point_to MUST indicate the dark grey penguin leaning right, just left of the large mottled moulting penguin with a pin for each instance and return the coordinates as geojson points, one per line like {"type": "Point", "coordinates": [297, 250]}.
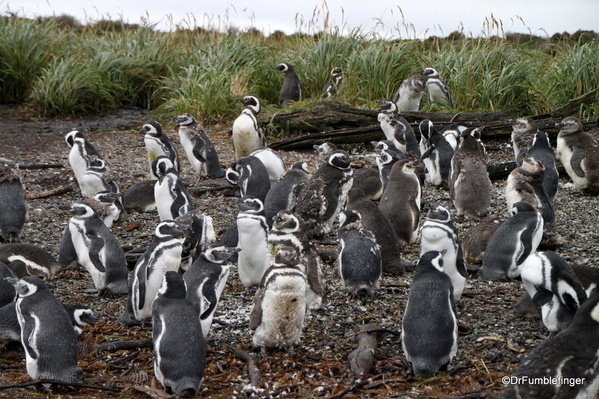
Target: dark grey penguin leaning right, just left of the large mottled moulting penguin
{"type": "Point", "coordinates": [283, 194]}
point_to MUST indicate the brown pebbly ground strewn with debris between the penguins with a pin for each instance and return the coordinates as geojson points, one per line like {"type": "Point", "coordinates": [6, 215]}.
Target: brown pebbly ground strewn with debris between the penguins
{"type": "Point", "coordinates": [492, 339]}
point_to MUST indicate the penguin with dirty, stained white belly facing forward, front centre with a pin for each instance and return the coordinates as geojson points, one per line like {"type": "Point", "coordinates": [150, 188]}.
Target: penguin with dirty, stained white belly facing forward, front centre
{"type": "Point", "coordinates": [277, 316]}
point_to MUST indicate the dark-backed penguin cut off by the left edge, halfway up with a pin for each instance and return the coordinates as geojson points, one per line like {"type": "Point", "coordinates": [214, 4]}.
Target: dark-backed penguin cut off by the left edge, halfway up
{"type": "Point", "coordinates": [13, 205]}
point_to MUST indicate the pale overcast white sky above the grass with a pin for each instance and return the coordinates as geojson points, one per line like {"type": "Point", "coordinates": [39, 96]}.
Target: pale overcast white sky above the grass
{"type": "Point", "coordinates": [399, 18]}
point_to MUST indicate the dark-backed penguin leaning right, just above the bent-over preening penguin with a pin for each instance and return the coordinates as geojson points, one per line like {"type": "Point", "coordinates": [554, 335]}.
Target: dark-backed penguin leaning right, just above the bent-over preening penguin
{"type": "Point", "coordinates": [512, 243]}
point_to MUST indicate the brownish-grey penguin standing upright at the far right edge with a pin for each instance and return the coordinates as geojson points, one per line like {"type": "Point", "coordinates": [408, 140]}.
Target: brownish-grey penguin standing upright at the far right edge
{"type": "Point", "coordinates": [579, 154]}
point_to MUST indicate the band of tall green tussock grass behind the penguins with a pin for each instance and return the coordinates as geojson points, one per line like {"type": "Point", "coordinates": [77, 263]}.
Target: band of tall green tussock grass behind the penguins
{"type": "Point", "coordinates": [58, 67]}
